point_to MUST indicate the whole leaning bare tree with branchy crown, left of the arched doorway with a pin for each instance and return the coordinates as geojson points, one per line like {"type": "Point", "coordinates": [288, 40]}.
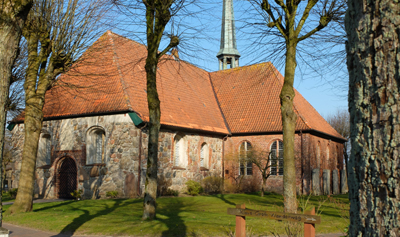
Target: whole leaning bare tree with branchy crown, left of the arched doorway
{"type": "Point", "coordinates": [56, 31]}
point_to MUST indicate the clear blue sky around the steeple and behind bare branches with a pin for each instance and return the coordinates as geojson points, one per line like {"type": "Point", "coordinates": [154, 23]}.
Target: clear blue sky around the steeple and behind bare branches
{"type": "Point", "coordinates": [319, 79]}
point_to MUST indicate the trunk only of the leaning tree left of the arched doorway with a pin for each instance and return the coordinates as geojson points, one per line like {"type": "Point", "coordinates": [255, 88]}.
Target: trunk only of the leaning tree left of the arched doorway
{"type": "Point", "coordinates": [35, 89]}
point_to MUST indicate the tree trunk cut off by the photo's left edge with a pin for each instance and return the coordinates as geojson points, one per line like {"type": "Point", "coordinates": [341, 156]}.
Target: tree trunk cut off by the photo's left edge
{"type": "Point", "coordinates": [12, 18]}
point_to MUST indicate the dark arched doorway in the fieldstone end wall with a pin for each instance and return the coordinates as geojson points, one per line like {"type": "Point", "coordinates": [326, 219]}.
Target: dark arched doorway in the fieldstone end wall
{"type": "Point", "coordinates": [67, 174]}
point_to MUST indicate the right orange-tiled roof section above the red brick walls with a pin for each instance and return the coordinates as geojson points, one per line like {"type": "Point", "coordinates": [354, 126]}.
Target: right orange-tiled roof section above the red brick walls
{"type": "Point", "coordinates": [249, 99]}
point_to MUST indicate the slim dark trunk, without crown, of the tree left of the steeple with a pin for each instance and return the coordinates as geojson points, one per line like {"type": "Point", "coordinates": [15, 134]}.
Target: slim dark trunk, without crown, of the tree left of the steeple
{"type": "Point", "coordinates": [149, 203]}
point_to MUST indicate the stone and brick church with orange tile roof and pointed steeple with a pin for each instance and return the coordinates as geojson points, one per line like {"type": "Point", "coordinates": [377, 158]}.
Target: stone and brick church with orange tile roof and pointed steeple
{"type": "Point", "coordinates": [95, 133]}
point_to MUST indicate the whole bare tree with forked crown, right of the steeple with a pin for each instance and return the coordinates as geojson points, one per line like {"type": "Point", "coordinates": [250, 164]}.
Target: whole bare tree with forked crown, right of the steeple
{"type": "Point", "coordinates": [292, 21]}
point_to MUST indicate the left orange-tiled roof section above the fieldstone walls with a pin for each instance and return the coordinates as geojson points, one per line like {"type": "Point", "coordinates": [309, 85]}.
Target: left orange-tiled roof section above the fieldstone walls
{"type": "Point", "coordinates": [110, 77]}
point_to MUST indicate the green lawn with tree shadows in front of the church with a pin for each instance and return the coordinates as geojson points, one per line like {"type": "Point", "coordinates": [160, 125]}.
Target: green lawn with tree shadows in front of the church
{"type": "Point", "coordinates": [176, 216]}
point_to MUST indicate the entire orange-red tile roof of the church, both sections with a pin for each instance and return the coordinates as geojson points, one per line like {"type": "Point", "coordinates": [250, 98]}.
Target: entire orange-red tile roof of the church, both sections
{"type": "Point", "coordinates": [110, 77]}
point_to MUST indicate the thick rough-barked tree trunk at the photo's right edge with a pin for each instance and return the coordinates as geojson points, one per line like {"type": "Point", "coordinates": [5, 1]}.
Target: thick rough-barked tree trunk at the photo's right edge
{"type": "Point", "coordinates": [373, 60]}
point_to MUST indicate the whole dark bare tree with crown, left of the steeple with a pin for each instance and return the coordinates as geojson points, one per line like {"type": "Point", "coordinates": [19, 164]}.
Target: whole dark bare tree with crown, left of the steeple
{"type": "Point", "coordinates": [158, 15]}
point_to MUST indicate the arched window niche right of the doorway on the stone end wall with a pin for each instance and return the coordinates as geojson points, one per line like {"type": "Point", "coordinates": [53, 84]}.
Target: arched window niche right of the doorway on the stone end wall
{"type": "Point", "coordinates": [95, 146]}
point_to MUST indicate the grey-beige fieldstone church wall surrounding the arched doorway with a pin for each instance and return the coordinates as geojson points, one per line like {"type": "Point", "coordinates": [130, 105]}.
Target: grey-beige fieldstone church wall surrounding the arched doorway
{"type": "Point", "coordinates": [123, 163]}
